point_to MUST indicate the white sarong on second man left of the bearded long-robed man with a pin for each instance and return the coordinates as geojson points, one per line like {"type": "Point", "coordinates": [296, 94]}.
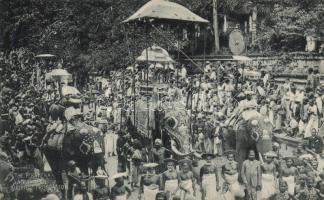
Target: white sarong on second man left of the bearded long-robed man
{"type": "Point", "coordinates": [209, 183]}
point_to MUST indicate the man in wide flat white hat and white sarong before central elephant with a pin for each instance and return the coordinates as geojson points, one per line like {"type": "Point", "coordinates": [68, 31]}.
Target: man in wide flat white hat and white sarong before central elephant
{"type": "Point", "coordinates": [150, 182]}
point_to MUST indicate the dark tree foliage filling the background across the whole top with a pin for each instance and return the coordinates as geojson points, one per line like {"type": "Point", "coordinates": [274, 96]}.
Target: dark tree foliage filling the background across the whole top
{"type": "Point", "coordinates": [88, 34]}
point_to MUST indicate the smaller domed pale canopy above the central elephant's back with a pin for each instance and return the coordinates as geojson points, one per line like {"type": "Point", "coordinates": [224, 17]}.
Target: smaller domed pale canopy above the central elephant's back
{"type": "Point", "coordinates": [155, 54]}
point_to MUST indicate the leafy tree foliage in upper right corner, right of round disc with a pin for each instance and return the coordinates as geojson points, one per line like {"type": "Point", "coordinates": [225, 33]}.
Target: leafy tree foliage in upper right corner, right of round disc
{"type": "Point", "coordinates": [285, 27]}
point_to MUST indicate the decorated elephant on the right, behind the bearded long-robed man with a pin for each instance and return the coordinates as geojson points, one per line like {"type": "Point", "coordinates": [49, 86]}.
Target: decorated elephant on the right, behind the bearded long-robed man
{"type": "Point", "coordinates": [250, 131]}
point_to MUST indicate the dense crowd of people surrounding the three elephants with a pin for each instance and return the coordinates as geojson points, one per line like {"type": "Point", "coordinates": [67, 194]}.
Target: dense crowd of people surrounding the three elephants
{"type": "Point", "coordinates": [211, 99]}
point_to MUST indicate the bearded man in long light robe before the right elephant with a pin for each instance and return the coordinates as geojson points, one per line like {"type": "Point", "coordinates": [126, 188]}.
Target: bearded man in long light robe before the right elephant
{"type": "Point", "coordinates": [251, 176]}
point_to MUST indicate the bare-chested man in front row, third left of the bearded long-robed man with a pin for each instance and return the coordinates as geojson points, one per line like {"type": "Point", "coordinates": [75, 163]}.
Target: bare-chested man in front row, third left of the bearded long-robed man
{"type": "Point", "coordinates": [186, 181]}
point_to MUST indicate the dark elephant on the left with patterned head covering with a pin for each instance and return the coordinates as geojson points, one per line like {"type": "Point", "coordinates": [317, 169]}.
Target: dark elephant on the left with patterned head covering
{"type": "Point", "coordinates": [83, 144]}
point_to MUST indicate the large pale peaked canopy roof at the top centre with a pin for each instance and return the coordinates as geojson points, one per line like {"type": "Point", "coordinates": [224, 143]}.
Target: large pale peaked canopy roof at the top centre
{"type": "Point", "coordinates": [162, 9]}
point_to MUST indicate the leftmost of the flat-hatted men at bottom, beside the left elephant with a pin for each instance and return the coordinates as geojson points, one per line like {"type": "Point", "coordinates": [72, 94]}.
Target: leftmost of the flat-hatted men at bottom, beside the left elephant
{"type": "Point", "coordinates": [101, 192]}
